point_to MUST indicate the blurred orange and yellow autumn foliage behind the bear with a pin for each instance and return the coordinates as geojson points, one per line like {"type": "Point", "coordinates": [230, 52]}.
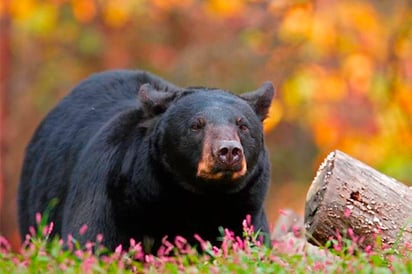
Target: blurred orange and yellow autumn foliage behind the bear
{"type": "Point", "coordinates": [343, 70]}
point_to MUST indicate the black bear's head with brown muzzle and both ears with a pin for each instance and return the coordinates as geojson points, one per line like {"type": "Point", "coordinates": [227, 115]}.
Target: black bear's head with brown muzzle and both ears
{"type": "Point", "coordinates": [209, 139]}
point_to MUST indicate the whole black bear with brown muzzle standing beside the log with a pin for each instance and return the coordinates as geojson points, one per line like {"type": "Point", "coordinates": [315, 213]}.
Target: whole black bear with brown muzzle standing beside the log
{"type": "Point", "coordinates": [133, 156]}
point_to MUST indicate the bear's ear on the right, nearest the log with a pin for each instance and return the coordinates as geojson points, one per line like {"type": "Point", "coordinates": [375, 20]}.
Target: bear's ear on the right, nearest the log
{"type": "Point", "coordinates": [260, 99]}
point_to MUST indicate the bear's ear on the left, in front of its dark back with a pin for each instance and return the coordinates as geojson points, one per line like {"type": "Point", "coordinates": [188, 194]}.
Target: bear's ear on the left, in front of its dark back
{"type": "Point", "coordinates": [154, 101]}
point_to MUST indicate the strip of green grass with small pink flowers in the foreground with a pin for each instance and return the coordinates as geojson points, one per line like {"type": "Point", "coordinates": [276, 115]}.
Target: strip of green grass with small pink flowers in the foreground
{"type": "Point", "coordinates": [236, 255]}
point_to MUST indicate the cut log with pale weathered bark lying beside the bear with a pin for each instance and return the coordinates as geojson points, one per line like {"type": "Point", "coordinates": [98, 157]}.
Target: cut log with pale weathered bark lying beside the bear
{"type": "Point", "coordinates": [348, 194]}
